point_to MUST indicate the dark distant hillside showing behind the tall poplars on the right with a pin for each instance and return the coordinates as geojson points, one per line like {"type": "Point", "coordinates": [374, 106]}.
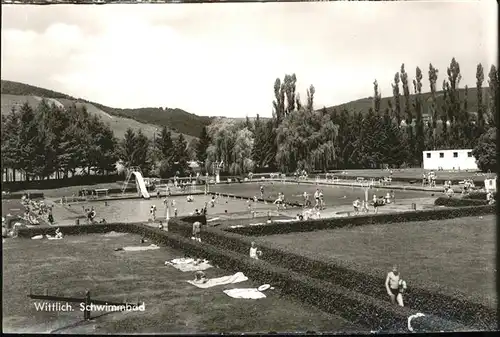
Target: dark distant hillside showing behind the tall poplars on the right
{"type": "Point", "coordinates": [362, 105]}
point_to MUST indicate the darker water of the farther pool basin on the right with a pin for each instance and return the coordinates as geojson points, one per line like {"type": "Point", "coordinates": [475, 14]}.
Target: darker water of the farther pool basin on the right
{"type": "Point", "coordinates": [334, 195]}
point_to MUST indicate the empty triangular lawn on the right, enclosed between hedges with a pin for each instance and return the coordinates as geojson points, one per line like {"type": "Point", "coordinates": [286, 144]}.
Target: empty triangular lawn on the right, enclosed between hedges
{"type": "Point", "coordinates": [457, 253]}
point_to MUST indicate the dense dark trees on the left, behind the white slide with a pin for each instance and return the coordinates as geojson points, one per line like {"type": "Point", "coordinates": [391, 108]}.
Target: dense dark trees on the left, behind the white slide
{"type": "Point", "coordinates": [54, 141]}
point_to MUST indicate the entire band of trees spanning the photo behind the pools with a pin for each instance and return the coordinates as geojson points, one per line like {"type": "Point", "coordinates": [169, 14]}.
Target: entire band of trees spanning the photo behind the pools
{"type": "Point", "coordinates": [53, 140]}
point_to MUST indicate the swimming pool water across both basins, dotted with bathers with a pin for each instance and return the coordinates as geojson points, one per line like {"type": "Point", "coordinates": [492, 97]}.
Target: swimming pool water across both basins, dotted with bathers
{"type": "Point", "coordinates": [138, 210]}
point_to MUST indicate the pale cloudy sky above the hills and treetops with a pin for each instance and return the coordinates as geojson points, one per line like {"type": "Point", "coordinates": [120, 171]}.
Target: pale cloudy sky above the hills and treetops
{"type": "Point", "coordinates": [223, 59]}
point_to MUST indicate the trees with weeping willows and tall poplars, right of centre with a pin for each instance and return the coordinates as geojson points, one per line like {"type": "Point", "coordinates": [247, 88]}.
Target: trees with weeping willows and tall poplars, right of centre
{"type": "Point", "coordinates": [299, 138]}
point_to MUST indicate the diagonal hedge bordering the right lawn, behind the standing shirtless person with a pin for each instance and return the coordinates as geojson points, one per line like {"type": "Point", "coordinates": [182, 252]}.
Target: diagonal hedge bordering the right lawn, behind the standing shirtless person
{"type": "Point", "coordinates": [433, 298]}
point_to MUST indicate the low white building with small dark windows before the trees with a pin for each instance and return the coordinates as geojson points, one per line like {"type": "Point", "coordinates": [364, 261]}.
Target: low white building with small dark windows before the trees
{"type": "Point", "coordinates": [449, 160]}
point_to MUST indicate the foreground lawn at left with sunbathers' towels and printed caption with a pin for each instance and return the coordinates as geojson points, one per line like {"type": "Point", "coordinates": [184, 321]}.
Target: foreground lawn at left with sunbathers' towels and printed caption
{"type": "Point", "coordinates": [70, 266]}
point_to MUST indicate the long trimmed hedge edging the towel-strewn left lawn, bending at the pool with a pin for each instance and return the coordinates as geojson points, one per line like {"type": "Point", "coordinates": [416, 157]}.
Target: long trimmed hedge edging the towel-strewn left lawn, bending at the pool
{"type": "Point", "coordinates": [331, 298]}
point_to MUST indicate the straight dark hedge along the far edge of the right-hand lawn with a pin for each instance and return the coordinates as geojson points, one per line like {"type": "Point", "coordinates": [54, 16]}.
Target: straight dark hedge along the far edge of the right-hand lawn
{"type": "Point", "coordinates": [361, 220]}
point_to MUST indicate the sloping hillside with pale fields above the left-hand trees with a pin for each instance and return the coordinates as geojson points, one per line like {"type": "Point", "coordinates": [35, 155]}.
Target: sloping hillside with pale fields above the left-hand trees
{"type": "Point", "coordinates": [14, 93]}
